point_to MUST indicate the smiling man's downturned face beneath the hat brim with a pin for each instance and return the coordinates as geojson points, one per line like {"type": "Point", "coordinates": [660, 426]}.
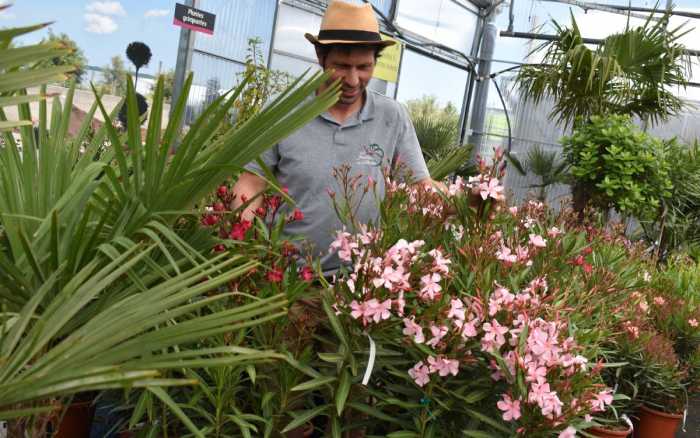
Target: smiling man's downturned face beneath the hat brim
{"type": "Point", "coordinates": [354, 68]}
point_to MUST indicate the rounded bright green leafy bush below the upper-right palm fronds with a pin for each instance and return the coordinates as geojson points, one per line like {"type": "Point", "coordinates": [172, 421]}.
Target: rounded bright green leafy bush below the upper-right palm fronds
{"type": "Point", "coordinates": [619, 166]}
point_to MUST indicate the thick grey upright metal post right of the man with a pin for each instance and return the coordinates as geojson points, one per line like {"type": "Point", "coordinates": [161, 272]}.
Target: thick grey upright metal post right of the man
{"type": "Point", "coordinates": [478, 121]}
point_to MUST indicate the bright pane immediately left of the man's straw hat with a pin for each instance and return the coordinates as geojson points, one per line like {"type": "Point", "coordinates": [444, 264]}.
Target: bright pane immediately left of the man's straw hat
{"type": "Point", "coordinates": [292, 24]}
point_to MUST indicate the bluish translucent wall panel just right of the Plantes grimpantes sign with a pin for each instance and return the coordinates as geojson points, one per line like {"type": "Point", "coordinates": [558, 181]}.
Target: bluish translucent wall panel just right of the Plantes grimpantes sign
{"type": "Point", "coordinates": [236, 22]}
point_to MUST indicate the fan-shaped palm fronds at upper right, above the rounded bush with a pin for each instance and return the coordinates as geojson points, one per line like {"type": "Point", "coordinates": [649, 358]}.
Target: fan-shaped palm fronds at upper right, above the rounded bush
{"type": "Point", "coordinates": [632, 73]}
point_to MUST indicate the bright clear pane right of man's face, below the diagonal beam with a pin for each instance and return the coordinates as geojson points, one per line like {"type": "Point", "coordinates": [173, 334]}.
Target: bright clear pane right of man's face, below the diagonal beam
{"type": "Point", "coordinates": [448, 83]}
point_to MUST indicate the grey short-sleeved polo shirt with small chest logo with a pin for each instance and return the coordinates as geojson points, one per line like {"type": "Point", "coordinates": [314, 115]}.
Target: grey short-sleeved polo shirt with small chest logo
{"type": "Point", "coordinates": [379, 135]}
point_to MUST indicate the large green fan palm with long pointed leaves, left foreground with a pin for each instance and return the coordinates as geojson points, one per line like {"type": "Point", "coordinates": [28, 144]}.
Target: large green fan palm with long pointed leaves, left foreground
{"type": "Point", "coordinates": [105, 279]}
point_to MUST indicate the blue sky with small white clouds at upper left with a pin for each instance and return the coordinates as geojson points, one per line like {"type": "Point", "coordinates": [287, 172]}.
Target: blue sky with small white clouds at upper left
{"type": "Point", "coordinates": [103, 29]}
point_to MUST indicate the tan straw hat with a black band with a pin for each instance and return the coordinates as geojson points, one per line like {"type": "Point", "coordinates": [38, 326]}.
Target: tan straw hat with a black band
{"type": "Point", "coordinates": [344, 23]}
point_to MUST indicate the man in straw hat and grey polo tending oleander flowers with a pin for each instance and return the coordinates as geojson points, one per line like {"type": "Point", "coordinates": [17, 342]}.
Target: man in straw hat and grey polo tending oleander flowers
{"type": "Point", "coordinates": [364, 129]}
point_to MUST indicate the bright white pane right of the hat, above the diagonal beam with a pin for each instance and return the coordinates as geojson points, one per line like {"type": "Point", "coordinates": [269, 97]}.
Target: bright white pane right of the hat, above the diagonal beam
{"type": "Point", "coordinates": [442, 21]}
